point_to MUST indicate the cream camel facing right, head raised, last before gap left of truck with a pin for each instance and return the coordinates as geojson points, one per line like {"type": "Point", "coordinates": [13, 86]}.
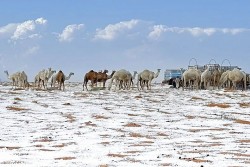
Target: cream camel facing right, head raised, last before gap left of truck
{"type": "Point", "coordinates": [146, 77]}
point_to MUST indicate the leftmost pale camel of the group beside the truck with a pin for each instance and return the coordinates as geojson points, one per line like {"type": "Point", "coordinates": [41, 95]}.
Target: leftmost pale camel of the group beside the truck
{"type": "Point", "coordinates": [189, 76]}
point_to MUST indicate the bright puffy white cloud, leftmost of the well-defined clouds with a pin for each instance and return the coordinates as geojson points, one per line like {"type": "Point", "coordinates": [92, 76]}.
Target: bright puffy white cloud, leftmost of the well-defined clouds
{"type": "Point", "coordinates": [24, 30]}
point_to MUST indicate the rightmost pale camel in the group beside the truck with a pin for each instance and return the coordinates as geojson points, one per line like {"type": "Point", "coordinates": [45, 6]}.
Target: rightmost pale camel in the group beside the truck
{"type": "Point", "coordinates": [235, 76]}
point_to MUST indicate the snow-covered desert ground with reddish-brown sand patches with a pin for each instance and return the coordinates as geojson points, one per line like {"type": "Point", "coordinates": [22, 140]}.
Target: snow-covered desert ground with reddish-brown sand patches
{"type": "Point", "coordinates": [161, 127]}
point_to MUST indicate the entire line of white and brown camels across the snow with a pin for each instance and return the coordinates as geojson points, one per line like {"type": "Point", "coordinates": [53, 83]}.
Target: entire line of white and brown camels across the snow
{"type": "Point", "coordinates": [123, 79]}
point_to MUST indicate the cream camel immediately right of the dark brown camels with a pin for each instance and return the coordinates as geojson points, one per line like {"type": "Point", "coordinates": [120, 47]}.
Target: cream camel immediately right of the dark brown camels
{"type": "Point", "coordinates": [121, 76]}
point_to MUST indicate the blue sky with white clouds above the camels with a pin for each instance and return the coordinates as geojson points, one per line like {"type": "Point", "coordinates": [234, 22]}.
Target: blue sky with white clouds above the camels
{"type": "Point", "coordinates": [80, 35]}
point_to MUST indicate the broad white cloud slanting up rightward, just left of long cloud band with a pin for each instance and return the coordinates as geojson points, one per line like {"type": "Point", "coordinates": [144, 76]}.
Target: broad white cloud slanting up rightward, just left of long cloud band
{"type": "Point", "coordinates": [112, 30]}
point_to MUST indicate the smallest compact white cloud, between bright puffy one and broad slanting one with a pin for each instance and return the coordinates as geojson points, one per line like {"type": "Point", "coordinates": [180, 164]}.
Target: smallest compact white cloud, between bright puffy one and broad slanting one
{"type": "Point", "coordinates": [68, 33]}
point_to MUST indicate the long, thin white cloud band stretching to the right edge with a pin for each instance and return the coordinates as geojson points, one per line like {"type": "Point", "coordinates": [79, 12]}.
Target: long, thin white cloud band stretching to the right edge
{"type": "Point", "coordinates": [158, 30]}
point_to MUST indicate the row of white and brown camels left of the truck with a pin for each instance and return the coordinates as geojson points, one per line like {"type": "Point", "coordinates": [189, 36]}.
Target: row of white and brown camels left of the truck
{"type": "Point", "coordinates": [123, 78]}
